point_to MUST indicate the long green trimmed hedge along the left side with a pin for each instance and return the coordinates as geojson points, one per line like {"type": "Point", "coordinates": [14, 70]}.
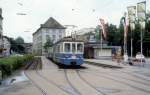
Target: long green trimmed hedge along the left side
{"type": "Point", "coordinates": [11, 63]}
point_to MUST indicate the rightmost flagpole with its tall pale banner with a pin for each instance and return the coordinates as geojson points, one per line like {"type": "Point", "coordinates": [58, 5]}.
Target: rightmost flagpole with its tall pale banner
{"type": "Point", "coordinates": [141, 14]}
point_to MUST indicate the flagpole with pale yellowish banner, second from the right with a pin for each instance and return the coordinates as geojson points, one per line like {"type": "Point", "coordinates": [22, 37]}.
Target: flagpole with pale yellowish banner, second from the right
{"type": "Point", "coordinates": [131, 18]}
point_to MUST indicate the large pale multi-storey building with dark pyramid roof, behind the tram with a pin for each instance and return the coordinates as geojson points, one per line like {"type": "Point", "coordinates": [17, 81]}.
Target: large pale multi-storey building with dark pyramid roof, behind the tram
{"type": "Point", "coordinates": [51, 29]}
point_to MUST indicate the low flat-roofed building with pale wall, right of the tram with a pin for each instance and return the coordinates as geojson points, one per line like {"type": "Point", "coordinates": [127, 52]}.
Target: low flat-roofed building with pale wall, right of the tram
{"type": "Point", "coordinates": [97, 50]}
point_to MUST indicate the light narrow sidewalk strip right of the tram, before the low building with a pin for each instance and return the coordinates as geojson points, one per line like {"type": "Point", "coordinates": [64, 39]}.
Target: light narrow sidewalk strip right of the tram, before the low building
{"type": "Point", "coordinates": [104, 63]}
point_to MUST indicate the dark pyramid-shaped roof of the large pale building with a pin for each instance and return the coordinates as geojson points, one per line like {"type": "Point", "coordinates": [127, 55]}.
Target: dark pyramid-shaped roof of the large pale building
{"type": "Point", "coordinates": [52, 23]}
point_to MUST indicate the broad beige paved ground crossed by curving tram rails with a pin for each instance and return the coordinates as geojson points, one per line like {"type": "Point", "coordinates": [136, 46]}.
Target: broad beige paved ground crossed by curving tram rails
{"type": "Point", "coordinates": [88, 80]}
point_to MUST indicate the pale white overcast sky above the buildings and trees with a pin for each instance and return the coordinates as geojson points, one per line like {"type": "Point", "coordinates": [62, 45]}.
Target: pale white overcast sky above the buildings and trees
{"type": "Point", "coordinates": [82, 13]}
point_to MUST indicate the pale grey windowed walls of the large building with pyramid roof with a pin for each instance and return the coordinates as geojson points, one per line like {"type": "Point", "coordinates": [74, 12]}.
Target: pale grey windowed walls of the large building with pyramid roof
{"type": "Point", "coordinates": [39, 38]}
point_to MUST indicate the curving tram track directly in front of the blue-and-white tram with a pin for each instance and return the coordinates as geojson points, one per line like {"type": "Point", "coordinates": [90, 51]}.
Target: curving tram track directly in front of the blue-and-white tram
{"type": "Point", "coordinates": [79, 82]}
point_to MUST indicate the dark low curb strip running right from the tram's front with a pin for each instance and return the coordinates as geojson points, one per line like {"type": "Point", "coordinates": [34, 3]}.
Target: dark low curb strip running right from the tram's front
{"type": "Point", "coordinates": [103, 65]}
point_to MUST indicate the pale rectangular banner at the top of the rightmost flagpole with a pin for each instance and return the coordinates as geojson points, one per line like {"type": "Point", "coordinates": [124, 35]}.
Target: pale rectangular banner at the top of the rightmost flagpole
{"type": "Point", "coordinates": [141, 11]}
